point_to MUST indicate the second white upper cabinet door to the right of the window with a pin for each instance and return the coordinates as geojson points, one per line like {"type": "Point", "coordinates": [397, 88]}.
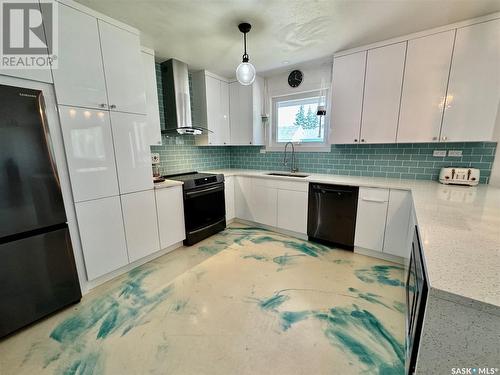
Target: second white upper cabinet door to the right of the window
{"type": "Point", "coordinates": [382, 95]}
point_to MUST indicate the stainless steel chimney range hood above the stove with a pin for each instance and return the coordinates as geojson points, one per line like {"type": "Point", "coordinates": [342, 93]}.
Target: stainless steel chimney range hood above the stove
{"type": "Point", "coordinates": [176, 99]}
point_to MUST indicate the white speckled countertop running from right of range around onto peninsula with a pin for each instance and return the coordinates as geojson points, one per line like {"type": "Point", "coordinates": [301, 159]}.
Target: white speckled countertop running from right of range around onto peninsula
{"type": "Point", "coordinates": [460, 230]}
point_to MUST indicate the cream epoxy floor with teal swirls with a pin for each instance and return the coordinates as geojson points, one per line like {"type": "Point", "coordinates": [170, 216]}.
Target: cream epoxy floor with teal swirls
{"type": "Point", "coordinates": [245, 301]}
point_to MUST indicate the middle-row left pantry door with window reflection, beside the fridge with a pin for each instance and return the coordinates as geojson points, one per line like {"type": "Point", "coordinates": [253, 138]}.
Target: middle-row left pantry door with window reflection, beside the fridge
{"type": "Point", "coordinates": [89, 151]}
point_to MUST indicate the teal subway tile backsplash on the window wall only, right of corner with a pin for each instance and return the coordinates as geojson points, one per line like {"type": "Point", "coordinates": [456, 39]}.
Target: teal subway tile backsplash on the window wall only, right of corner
{"type": "Point", "coordinates": [404, 161]}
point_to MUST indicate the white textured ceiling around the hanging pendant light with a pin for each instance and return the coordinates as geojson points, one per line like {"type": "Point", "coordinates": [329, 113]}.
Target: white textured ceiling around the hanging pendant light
{"type": "Point", "coordinates": [204, 33]}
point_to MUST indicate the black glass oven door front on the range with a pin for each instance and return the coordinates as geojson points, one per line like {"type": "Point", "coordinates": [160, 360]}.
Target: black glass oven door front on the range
{"type": "Point", "coordinates": [203, 207]}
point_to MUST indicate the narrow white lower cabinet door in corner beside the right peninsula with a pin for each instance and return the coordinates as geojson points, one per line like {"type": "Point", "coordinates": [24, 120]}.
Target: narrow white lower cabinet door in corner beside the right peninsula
{"type": "Point", "coordinates": [398, 223]}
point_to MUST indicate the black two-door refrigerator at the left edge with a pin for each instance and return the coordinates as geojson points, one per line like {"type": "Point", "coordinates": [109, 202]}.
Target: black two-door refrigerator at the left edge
{"type": "Point", "coordinates": [37, 267]}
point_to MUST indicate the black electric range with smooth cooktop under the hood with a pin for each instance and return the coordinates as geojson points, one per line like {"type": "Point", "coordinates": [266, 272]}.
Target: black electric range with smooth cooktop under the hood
{"type": "Point", "coordinates": [204, 204]}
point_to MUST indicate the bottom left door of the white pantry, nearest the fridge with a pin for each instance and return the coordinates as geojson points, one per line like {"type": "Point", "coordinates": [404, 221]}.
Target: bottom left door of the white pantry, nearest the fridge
{"type": "Point", "coordinates": [101, 232]}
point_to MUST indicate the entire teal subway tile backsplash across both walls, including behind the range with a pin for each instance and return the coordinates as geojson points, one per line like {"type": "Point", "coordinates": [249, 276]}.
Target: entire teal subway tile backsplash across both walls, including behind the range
{"type": "Point", "coordinates": [403, 161]}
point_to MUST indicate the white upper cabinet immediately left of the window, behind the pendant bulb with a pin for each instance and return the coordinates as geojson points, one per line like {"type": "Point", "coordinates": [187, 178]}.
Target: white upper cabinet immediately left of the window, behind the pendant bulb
{"type": "Point", "coordinates": [245, 113]}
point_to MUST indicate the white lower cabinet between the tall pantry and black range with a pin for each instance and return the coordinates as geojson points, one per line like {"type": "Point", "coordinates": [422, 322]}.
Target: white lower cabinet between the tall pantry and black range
{"type": "Point", "coordinates": [170, 211]}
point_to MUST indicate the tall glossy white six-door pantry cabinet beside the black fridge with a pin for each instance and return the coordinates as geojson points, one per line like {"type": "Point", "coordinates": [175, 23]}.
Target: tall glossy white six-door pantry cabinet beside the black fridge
{"type": "Point", "coordinates": [107, 133]}
